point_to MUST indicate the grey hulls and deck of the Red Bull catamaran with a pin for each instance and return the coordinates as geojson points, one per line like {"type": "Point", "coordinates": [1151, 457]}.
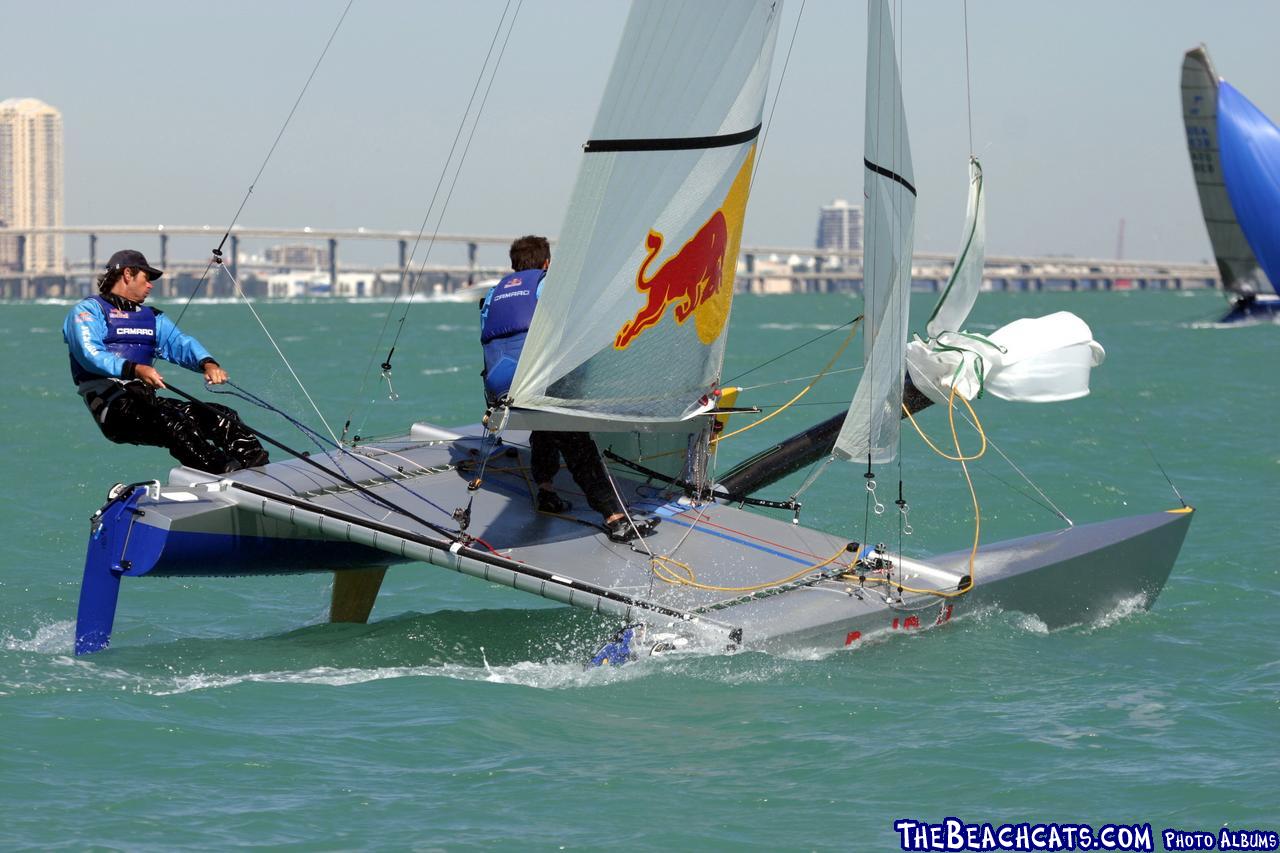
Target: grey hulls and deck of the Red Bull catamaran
{"type": "Point", "coordinates": [258, 524]}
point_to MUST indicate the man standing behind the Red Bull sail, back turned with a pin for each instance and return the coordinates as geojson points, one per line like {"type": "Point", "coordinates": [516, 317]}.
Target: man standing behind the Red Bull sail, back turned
{"type": "Point", "coordinates": [506, 314]}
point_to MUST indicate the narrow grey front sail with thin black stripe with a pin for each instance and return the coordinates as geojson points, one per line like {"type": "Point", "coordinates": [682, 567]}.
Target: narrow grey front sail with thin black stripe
{"type": "Point", "coordinates": [872, 425]}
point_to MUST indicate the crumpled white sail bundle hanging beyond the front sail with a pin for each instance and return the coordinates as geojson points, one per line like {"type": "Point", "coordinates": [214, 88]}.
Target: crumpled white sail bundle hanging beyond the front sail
{"type": "Point", "coordinates": [1044, 359]}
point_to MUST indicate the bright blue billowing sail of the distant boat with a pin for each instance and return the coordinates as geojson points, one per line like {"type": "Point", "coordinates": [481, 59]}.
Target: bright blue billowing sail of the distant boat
{"type": "Point", "coordinates": [1251, 166]}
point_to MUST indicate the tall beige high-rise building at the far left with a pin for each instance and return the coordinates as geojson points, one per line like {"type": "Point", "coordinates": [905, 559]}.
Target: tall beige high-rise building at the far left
{"type": "Point", "coordinates": [31, 184]}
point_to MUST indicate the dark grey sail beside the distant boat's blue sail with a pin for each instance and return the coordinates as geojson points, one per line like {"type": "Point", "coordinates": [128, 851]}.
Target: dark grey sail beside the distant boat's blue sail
{"type": "Point", "coordinates": [1236, 259]}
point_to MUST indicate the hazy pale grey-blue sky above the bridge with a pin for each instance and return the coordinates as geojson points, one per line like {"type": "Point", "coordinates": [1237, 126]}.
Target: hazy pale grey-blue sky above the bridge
{"type": "Point", "coordinates": [170, 111]}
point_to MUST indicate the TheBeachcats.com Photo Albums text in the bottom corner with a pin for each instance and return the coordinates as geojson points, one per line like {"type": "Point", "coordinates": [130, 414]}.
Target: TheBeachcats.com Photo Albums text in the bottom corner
{"type": "Point", "coordinates": [956, 834]}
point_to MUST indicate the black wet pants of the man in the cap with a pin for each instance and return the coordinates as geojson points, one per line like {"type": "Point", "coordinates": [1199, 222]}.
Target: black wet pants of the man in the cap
{"type": "Point", "coordinates": [207, 437]}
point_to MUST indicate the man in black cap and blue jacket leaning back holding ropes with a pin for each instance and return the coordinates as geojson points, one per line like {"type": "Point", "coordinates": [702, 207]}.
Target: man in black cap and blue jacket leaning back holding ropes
{"type": "Point", "coordinates": [115, 340]}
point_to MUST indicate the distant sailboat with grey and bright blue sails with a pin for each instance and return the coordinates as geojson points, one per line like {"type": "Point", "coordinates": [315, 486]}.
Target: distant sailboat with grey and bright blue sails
{"type": "Point", "coordinates": [1236, 158]}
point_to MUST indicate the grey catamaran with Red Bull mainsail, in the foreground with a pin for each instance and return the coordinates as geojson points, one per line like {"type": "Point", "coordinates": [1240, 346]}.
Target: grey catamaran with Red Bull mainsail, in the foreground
{"type": "Point", "coordinates": [628, 343]}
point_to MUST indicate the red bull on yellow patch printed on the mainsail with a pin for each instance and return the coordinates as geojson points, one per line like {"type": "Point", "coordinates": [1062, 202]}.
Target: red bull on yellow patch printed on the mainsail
{"type": "Point", "coordinates": [694, 281]}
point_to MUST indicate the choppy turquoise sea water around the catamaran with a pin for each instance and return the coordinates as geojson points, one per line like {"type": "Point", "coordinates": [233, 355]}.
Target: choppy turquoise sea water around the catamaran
{"type": "Point", "coordinates": [228, 714]}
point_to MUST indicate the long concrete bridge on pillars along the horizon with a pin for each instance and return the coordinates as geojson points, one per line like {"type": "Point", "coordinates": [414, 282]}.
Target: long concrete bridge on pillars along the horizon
{"type": "Point", "coordinates": [762, 270]}
